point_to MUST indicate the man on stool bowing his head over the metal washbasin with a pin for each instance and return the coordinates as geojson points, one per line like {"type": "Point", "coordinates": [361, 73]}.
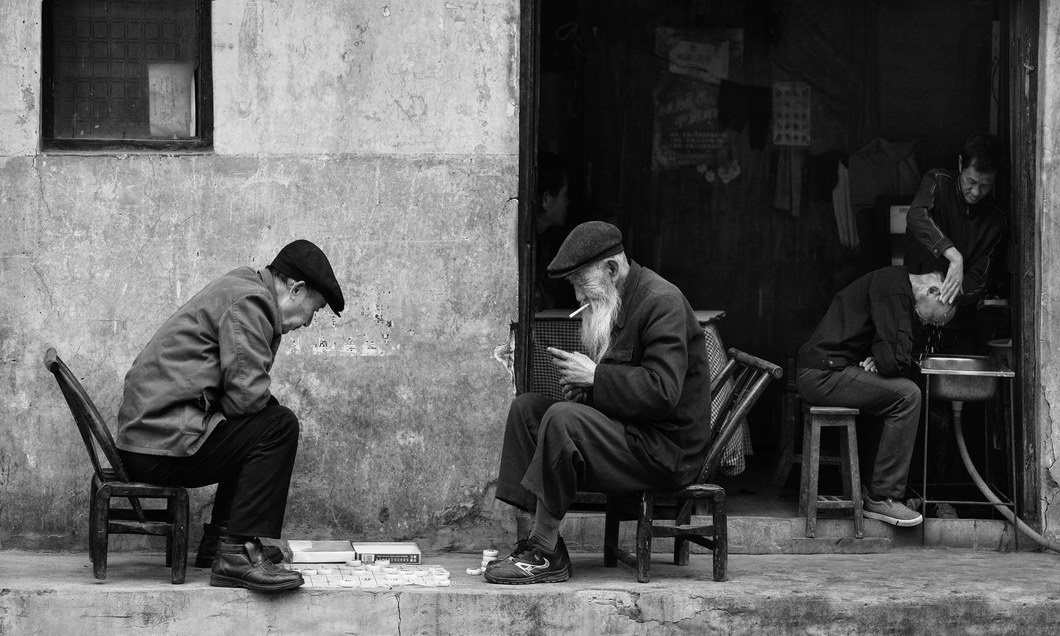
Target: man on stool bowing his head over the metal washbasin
{"type": "Point", "coordinates": [861, 357]}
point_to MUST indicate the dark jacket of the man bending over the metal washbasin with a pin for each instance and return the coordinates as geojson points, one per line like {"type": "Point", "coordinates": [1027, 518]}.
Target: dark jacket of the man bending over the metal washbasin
{"type": "Point", "coordinates": [873, 316]}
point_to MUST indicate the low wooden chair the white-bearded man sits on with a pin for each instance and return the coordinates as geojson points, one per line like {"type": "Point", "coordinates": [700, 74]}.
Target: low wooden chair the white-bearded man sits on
{"type": "Point", "coordinates": [739, 386]}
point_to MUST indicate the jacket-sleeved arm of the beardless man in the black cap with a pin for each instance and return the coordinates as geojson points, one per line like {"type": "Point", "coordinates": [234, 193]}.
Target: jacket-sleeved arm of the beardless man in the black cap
{"type": "Point", "coordinates": [245, 335]}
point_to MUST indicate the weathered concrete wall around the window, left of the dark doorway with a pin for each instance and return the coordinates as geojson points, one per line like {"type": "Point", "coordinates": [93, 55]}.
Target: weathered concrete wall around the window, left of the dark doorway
{"type": "Point", "coordinates": [388, 134]}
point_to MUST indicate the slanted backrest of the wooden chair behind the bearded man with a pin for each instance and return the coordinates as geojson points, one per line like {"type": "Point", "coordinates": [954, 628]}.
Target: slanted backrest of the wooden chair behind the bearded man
{"type": "Point", "coordinates": [747, 378]}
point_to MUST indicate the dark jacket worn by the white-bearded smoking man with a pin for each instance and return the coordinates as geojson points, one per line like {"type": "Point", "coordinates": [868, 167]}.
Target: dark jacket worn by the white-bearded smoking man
{"type": "Point", "coordinates": [656, 378]}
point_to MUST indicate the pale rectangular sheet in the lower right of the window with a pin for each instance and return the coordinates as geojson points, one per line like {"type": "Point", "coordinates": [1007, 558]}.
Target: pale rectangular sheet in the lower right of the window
{"type": "Point", "coordinates": [171, 91]}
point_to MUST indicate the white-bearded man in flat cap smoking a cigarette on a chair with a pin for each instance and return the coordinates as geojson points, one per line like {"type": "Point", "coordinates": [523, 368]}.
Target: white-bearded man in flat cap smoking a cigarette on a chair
{"type": "Point", "coordinates": [634, 411]}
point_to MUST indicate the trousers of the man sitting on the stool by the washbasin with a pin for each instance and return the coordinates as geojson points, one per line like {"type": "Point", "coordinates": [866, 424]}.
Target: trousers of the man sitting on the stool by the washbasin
{"type": "Point", "coordinates": [895, 400]}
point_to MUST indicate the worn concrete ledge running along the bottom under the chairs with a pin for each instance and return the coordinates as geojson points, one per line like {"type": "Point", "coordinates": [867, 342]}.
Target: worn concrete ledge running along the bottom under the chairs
{"type": "Point", "coordinates": [908, 592]}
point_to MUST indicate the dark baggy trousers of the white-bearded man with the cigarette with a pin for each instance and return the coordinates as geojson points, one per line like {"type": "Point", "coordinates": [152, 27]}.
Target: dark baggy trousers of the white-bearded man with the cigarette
{"type": "Point", "coordinates": [555, 449]}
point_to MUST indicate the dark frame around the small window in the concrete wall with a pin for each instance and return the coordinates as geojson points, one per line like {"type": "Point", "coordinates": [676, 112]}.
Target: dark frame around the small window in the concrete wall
{"type": "Point", "coordinates": [204, 100]}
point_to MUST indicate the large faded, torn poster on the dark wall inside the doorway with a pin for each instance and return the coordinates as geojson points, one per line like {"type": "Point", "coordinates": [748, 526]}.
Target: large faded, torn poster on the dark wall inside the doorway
{"type": "Point", "coordinates": [686, 130]}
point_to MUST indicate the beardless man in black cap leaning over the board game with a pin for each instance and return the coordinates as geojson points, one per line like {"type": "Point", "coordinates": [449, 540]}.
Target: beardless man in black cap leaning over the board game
{"type": "Point", "coordinates": [198, 409]}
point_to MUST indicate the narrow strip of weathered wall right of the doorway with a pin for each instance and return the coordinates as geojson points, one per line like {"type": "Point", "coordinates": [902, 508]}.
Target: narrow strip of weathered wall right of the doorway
{"type": "Point", "coordinates": [1049, 320]}
